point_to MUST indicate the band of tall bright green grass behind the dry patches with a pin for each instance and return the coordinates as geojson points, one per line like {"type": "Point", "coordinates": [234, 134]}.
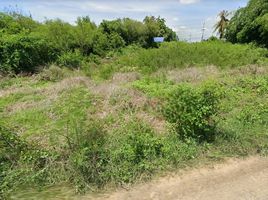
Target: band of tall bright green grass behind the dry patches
{"type": "Point", "coordinates": [181, 54]}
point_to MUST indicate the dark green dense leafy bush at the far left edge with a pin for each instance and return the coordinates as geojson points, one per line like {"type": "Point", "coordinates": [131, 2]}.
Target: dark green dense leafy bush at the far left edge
{"type": "Point", "coordinates": [24, 53]}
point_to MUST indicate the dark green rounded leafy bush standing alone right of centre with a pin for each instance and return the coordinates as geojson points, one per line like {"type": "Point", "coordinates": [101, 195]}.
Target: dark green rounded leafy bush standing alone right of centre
{"type": "Point", "coordinates": [192, 111]}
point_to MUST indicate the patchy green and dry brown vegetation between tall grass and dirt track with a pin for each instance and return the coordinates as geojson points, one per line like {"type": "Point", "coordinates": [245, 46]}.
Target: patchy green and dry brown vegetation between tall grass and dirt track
{"type": "Point", "coordinates": [70, 132]}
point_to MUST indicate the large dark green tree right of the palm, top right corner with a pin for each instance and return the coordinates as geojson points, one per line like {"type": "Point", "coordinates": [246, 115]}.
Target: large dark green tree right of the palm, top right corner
{"type": "Point", "coordinates": [250, 24]}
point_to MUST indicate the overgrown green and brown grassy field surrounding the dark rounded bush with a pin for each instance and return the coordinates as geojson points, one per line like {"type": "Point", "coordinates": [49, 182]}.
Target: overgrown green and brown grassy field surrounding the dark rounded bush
{"type": "Point", "coordinates": [74, 133]}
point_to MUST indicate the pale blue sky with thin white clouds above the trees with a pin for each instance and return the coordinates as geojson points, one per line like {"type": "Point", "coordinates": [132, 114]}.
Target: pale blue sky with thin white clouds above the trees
{"type": "Point", "coordinates": [186, 17]}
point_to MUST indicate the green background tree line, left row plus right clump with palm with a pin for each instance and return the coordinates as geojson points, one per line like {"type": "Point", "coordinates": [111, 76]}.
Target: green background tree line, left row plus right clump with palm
{"type": "Point", "coordinates": [26, 43]}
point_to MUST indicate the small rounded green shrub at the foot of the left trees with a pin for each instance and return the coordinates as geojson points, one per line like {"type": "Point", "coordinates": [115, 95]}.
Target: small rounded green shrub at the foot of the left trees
{"type": "Point", "coordinates": [70, 59]}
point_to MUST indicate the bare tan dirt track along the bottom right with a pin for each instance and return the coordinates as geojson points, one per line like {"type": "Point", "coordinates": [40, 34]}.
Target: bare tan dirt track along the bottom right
{"type": "Point", "coordinates": [234, 180]}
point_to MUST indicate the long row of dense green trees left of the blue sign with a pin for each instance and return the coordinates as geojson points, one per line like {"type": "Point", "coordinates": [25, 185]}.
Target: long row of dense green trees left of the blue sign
{"type": "Point", "coordinates": [26, 44]}
